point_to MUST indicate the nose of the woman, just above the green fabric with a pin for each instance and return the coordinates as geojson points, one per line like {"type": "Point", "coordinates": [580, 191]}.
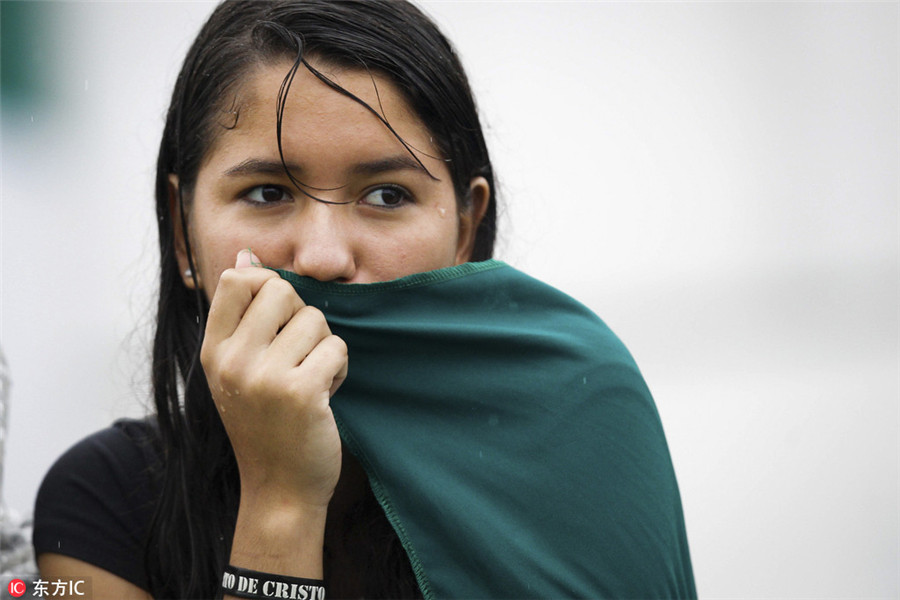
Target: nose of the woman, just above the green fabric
{"type": "Point", "coordinates": [323, 247]}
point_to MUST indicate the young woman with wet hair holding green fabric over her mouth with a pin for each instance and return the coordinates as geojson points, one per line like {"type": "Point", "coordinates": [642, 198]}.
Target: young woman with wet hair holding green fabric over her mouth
{"type": "Point", "coordinates": [429, 433]}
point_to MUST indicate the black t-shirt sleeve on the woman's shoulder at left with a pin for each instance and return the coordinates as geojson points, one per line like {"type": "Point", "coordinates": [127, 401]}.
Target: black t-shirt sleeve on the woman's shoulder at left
{"type": "Point", "coordinates": [96, 502]}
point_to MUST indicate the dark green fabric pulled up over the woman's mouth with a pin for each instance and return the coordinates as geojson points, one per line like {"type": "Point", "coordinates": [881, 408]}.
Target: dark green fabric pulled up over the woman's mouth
{"type": "Point", "coordinates": [509, 436]}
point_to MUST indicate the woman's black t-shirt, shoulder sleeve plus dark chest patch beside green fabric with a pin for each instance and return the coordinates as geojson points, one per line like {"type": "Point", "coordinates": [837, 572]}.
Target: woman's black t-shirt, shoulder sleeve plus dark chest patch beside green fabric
{"type": "Point", "coordinates": [97, 501]}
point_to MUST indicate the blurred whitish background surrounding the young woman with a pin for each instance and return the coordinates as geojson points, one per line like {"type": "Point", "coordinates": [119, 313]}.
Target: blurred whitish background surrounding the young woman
{"type": "Point", "coordinates": [718, 181]}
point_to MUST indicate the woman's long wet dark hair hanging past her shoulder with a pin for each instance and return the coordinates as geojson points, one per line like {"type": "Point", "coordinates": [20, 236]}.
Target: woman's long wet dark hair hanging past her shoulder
{"type": "Point", "coordinates": [190, 536]}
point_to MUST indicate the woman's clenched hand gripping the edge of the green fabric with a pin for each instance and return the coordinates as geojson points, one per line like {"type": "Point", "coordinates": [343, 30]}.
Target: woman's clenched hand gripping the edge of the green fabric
{"type": "Point", "coordinates": [272, 365]}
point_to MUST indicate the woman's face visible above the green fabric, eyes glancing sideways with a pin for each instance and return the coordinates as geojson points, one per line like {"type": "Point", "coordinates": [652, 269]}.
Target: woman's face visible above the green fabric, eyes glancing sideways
{"type": "Point", "coordinates": [394, 220]}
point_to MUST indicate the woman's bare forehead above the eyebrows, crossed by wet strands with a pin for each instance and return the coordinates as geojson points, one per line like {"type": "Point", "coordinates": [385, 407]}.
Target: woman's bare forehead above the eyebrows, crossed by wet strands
{"type": "Point", "coordinates": [319, 120]}
